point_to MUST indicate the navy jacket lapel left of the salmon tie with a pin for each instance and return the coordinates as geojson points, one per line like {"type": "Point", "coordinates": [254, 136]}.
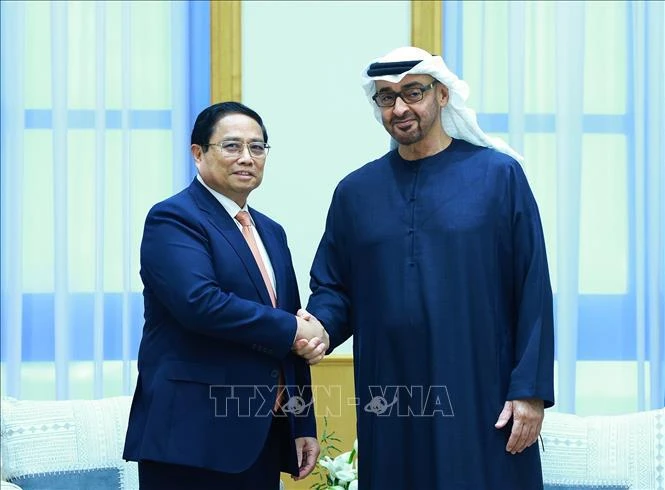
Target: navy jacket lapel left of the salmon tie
{"type": "Point", "coordinates": [221, 220]}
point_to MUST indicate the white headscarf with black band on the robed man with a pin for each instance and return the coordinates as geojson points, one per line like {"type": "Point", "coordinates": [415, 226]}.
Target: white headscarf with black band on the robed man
{"type": "Point", "coordinates": [458, 120]}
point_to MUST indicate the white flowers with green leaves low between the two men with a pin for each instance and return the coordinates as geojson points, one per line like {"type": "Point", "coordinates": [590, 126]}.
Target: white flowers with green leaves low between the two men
{"type": "Point", "coordinates": [340, 472]}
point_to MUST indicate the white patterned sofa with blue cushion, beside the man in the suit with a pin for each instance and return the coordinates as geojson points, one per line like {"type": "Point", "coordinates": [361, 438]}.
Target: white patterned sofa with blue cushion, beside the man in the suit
{"type": "Point", "coordinates": [66, 444]}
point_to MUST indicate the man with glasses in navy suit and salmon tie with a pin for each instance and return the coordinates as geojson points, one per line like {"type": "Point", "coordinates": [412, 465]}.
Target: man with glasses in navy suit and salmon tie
{"type": "Point", "coordinates": [222, 401]}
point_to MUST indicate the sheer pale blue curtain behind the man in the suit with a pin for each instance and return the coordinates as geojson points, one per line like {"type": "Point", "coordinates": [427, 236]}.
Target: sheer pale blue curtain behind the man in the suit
{"type": "Point", "coordinates": [98, 99]}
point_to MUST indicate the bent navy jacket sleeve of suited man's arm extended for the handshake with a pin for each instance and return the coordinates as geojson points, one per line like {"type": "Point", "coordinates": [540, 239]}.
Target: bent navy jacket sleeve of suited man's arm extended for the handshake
{"type": "Point", "coordinates": [177, 266]}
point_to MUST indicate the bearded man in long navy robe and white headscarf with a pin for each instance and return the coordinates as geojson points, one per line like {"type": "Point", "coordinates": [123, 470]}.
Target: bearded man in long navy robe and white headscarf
{"type": "Point", "coordinates": [433, 258]}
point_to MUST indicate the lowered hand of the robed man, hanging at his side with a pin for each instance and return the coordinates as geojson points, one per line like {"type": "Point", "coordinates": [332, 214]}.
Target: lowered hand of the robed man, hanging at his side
{"type": "Point", "coordinates": [527, 417]}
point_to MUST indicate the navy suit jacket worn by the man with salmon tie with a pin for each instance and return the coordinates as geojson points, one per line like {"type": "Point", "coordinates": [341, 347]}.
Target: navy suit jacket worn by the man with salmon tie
{"type": "Point", "coordinates": [213, 345]}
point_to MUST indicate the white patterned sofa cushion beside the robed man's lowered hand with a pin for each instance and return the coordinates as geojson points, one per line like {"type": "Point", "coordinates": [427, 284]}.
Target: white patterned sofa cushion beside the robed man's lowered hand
{"type": "Point", "coordinates": [609, 451]}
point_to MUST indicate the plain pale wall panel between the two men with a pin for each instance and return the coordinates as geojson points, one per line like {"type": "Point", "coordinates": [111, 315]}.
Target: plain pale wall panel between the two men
{"type": "Point", "coordinates": [301, 72]}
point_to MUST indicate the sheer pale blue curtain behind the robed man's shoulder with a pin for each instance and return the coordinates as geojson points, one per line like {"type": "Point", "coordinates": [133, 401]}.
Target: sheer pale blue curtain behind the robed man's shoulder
{"type": "Point", "coordinates": [584, 101]}
